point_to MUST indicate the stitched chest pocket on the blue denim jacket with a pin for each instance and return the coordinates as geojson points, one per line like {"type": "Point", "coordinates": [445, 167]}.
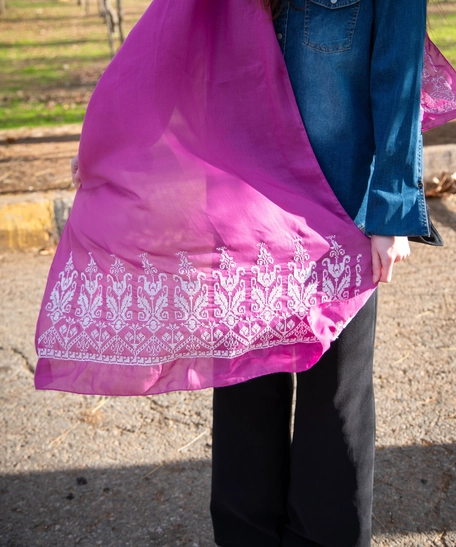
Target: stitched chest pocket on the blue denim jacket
{"type": "Point", "coordinates": [329, 25]}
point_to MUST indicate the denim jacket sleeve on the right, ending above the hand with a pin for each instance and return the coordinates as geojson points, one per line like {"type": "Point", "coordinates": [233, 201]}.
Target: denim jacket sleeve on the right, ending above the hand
{"type": "Point", "coordinates": [396, 202]}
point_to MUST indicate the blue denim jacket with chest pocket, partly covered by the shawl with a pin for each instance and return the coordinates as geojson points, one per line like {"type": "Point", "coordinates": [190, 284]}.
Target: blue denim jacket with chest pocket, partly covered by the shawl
{"type": "Point", "coordinates": [355, 67]}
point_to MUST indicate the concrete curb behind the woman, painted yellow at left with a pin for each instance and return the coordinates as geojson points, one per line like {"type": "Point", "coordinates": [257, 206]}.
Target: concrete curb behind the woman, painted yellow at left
{"type": "Point", "coordinates": [36, 220]}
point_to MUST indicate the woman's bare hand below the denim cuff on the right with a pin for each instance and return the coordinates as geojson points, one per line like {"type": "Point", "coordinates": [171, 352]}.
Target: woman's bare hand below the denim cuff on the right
{"type": "Point", "coordinates": [386, 250]}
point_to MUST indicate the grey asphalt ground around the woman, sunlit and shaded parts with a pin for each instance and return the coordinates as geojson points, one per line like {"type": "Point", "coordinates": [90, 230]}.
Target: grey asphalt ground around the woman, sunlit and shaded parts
{"type": "Point", "coordinates": [84, 471]}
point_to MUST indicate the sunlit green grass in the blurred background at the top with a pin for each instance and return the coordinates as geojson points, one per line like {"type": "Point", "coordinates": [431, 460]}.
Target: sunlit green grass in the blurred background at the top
{"type": "Point", "coordinates": [52, 54]}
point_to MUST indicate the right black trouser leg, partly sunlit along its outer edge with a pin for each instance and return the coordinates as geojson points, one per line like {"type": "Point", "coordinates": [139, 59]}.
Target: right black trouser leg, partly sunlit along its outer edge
{"type": "Point", "coordinates": [331, 483]}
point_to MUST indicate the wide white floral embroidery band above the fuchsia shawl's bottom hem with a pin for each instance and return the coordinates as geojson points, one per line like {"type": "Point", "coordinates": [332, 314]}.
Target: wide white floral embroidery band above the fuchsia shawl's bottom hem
{"type": "Point", "coordinates": [157, 317]}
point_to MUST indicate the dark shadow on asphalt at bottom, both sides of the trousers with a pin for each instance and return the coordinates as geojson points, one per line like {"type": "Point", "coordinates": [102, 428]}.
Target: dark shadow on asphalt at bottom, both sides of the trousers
{"type": "Point", "coordinates": [167, 506]}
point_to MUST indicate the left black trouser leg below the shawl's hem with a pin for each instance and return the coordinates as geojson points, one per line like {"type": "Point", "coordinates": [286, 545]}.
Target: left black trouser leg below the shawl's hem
{"type": "Point", "coordinates": [250, 465]}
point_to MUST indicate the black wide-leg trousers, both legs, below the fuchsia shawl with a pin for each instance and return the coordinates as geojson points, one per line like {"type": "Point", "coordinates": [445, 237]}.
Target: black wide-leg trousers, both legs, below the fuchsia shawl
{"type": "Point", "coordinates": [315, 489]}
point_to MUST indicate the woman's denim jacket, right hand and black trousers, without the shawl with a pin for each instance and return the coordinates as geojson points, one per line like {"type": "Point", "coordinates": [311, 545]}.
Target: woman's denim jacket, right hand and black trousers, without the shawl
{"type": "Point", "coordinates": [355, 67]}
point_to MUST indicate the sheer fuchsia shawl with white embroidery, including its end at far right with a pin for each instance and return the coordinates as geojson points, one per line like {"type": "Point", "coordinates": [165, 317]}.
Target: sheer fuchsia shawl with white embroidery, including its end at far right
{"type": "Point", "coordinates": [205, 246]}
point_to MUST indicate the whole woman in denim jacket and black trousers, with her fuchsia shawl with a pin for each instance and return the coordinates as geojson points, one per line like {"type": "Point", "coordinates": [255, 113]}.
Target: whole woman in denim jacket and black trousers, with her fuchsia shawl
{"type": "Point", "coordinates": [205, 247]}
